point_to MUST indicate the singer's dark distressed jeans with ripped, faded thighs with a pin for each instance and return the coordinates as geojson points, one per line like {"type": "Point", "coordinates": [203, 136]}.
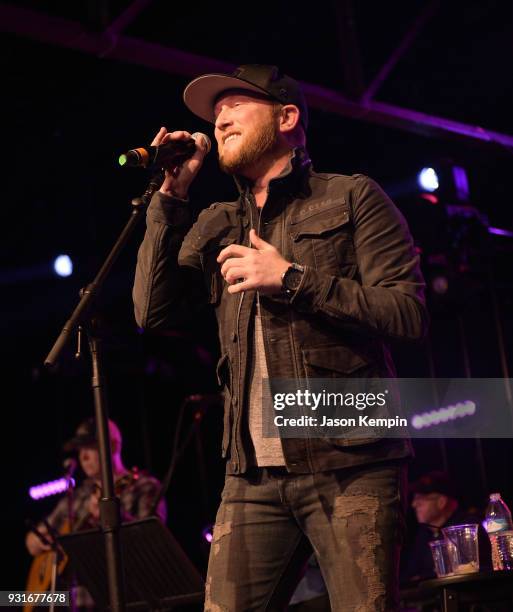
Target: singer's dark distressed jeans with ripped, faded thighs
{"type": "Point", "coordinates": [269, 521]}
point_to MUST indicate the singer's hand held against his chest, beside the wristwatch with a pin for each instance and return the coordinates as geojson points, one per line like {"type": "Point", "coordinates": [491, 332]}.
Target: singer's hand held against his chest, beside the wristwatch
{"type": "Point", "coordinates": [260, 268]}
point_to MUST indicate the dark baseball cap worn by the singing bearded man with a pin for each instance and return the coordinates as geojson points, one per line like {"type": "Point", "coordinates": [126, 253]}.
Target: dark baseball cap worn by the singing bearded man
{"type": "Point", "coordinates": [201, 94]}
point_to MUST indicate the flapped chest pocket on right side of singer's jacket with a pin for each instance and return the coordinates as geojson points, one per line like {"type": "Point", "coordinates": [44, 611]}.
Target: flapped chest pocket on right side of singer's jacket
{"type": "Point", "coordinates": [324, 240]}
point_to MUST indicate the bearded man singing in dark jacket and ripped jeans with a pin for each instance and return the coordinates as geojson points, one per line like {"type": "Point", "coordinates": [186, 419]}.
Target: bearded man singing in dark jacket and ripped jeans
{"type": "Point", "coordinates": [309, 274]}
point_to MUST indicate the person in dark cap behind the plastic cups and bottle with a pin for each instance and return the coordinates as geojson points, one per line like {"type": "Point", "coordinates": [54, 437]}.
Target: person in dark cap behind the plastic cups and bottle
{"type": "Point", "coordinates": [435, 501]}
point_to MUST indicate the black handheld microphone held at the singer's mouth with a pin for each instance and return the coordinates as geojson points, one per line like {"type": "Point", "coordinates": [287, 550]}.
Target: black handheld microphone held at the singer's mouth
{"type": "Point", "coordinates": [172, 152]}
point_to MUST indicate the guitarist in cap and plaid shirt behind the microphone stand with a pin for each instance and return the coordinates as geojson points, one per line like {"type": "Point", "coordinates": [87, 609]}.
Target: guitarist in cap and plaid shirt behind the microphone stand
{"type": "Point", "coordinates": [136, 490]}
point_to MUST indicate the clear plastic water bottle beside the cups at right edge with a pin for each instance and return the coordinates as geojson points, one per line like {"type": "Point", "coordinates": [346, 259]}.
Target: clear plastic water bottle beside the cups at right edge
{"type": "Point", "coordinates": [499, 526]}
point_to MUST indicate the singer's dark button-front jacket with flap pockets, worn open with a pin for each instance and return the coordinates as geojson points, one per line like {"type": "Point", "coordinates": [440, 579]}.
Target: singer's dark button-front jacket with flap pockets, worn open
{"type": "Point", "coordinates": [362, 285]}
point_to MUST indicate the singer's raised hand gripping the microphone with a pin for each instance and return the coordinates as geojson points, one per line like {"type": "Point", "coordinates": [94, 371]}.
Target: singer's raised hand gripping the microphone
{"type": "Point", "coordinates": [178, 178]}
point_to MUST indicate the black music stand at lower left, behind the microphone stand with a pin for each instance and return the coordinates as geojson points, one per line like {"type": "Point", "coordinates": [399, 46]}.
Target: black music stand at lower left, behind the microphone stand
{"type": "Point", "coordinates": [158, 574]}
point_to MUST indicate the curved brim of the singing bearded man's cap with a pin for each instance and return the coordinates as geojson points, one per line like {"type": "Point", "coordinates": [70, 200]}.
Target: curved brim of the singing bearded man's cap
{"type": "Point", "coordinates": [200, 95]}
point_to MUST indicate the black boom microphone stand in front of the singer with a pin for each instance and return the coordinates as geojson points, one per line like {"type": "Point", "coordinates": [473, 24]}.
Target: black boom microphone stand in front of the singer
{"type": "Point", "coordinates": [83, 316]}
